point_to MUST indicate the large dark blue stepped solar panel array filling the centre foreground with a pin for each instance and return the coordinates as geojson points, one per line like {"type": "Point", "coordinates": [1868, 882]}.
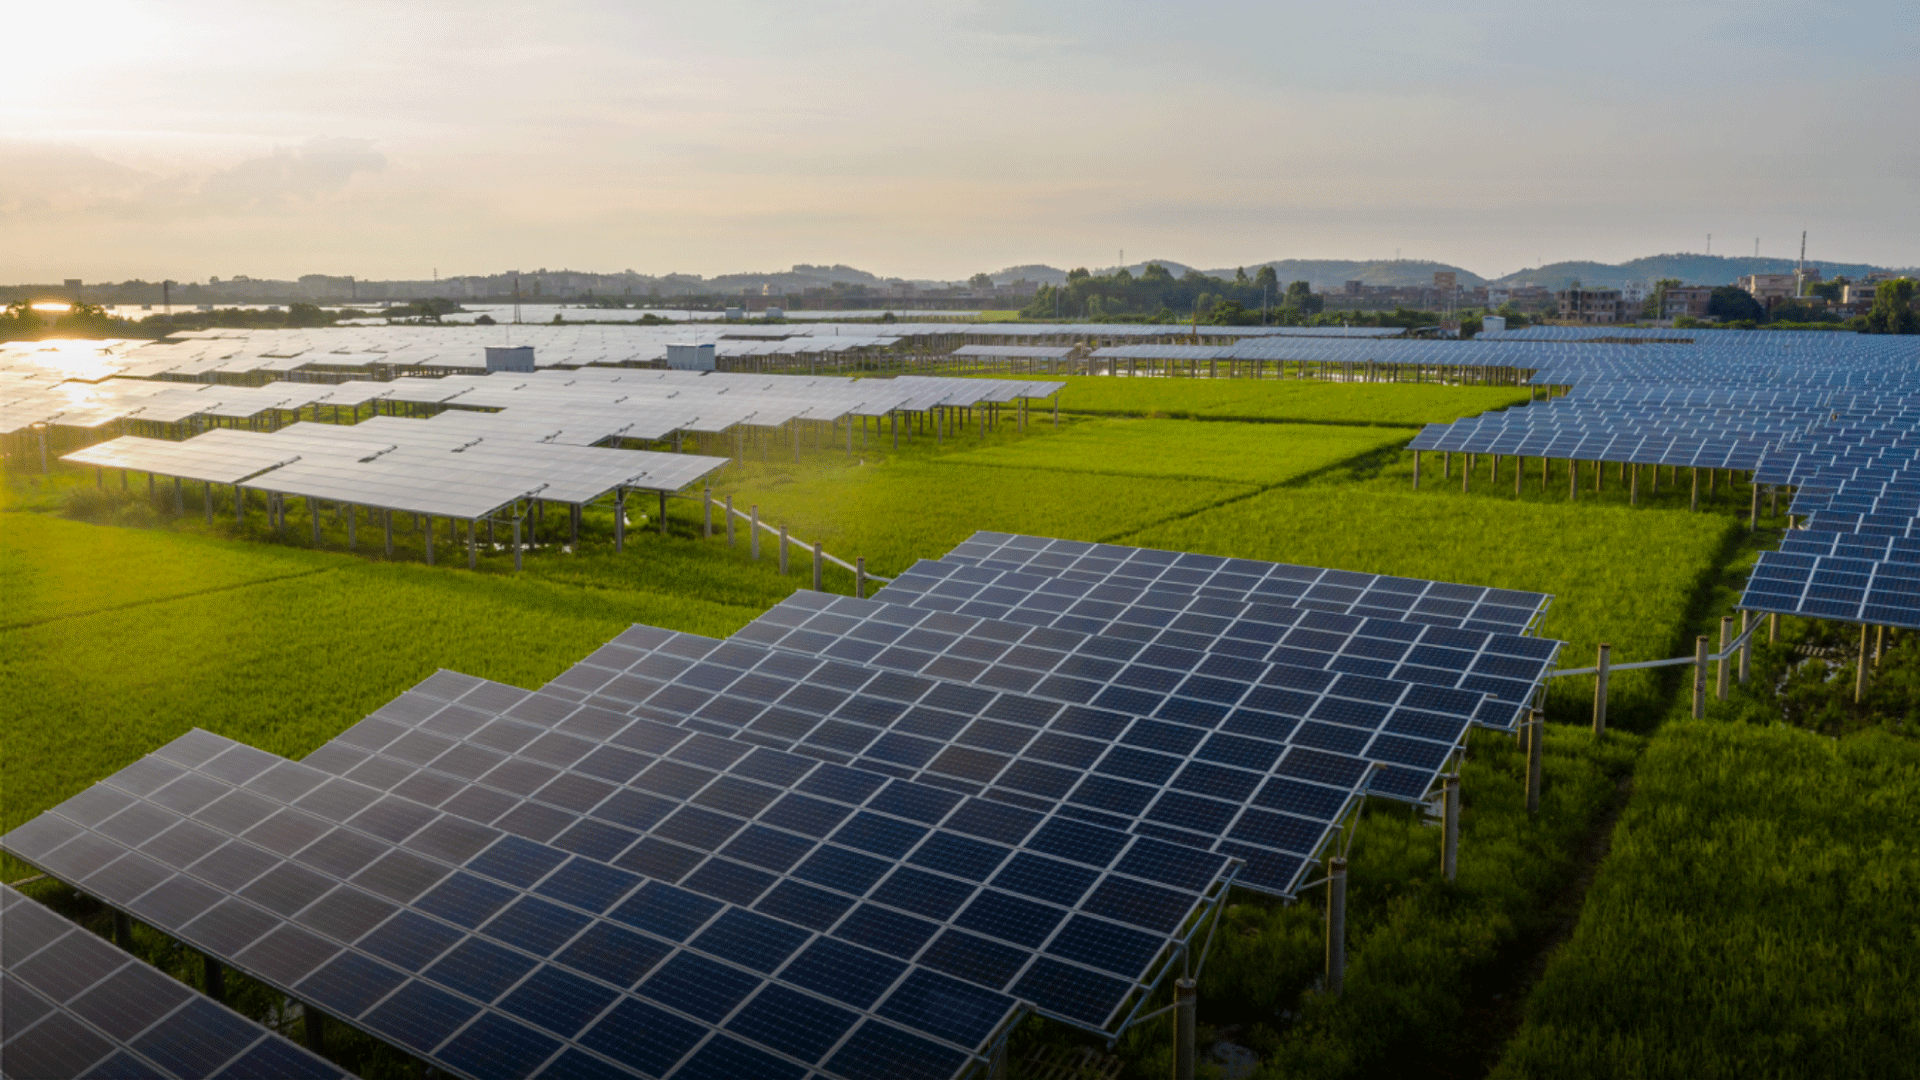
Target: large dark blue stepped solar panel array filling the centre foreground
{"type": "Point", "coordinates": [777, 858]}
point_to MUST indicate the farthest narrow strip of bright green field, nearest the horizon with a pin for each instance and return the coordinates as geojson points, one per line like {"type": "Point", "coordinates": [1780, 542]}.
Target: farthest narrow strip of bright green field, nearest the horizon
{"type": "Point", "coordinates": [1391, 405]}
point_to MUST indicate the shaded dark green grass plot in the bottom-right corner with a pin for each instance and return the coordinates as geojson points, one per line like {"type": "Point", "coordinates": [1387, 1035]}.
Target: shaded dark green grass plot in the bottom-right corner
{"type": "Point", "coordinates": [1754, 920]}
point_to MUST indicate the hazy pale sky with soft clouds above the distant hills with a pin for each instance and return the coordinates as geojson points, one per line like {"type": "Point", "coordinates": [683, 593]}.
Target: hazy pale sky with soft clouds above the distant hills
{"type": "Point", "coordinates": [936, 139]}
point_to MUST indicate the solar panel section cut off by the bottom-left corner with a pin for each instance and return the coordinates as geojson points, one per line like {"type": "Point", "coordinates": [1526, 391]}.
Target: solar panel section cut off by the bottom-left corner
{"type": "Point", "coordinates": [76, 1006]}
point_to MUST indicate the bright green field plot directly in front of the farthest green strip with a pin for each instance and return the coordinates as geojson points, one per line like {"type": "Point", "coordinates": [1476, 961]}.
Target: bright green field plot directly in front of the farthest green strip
{"type": "Point", "coordinates": [1232, 453]}
